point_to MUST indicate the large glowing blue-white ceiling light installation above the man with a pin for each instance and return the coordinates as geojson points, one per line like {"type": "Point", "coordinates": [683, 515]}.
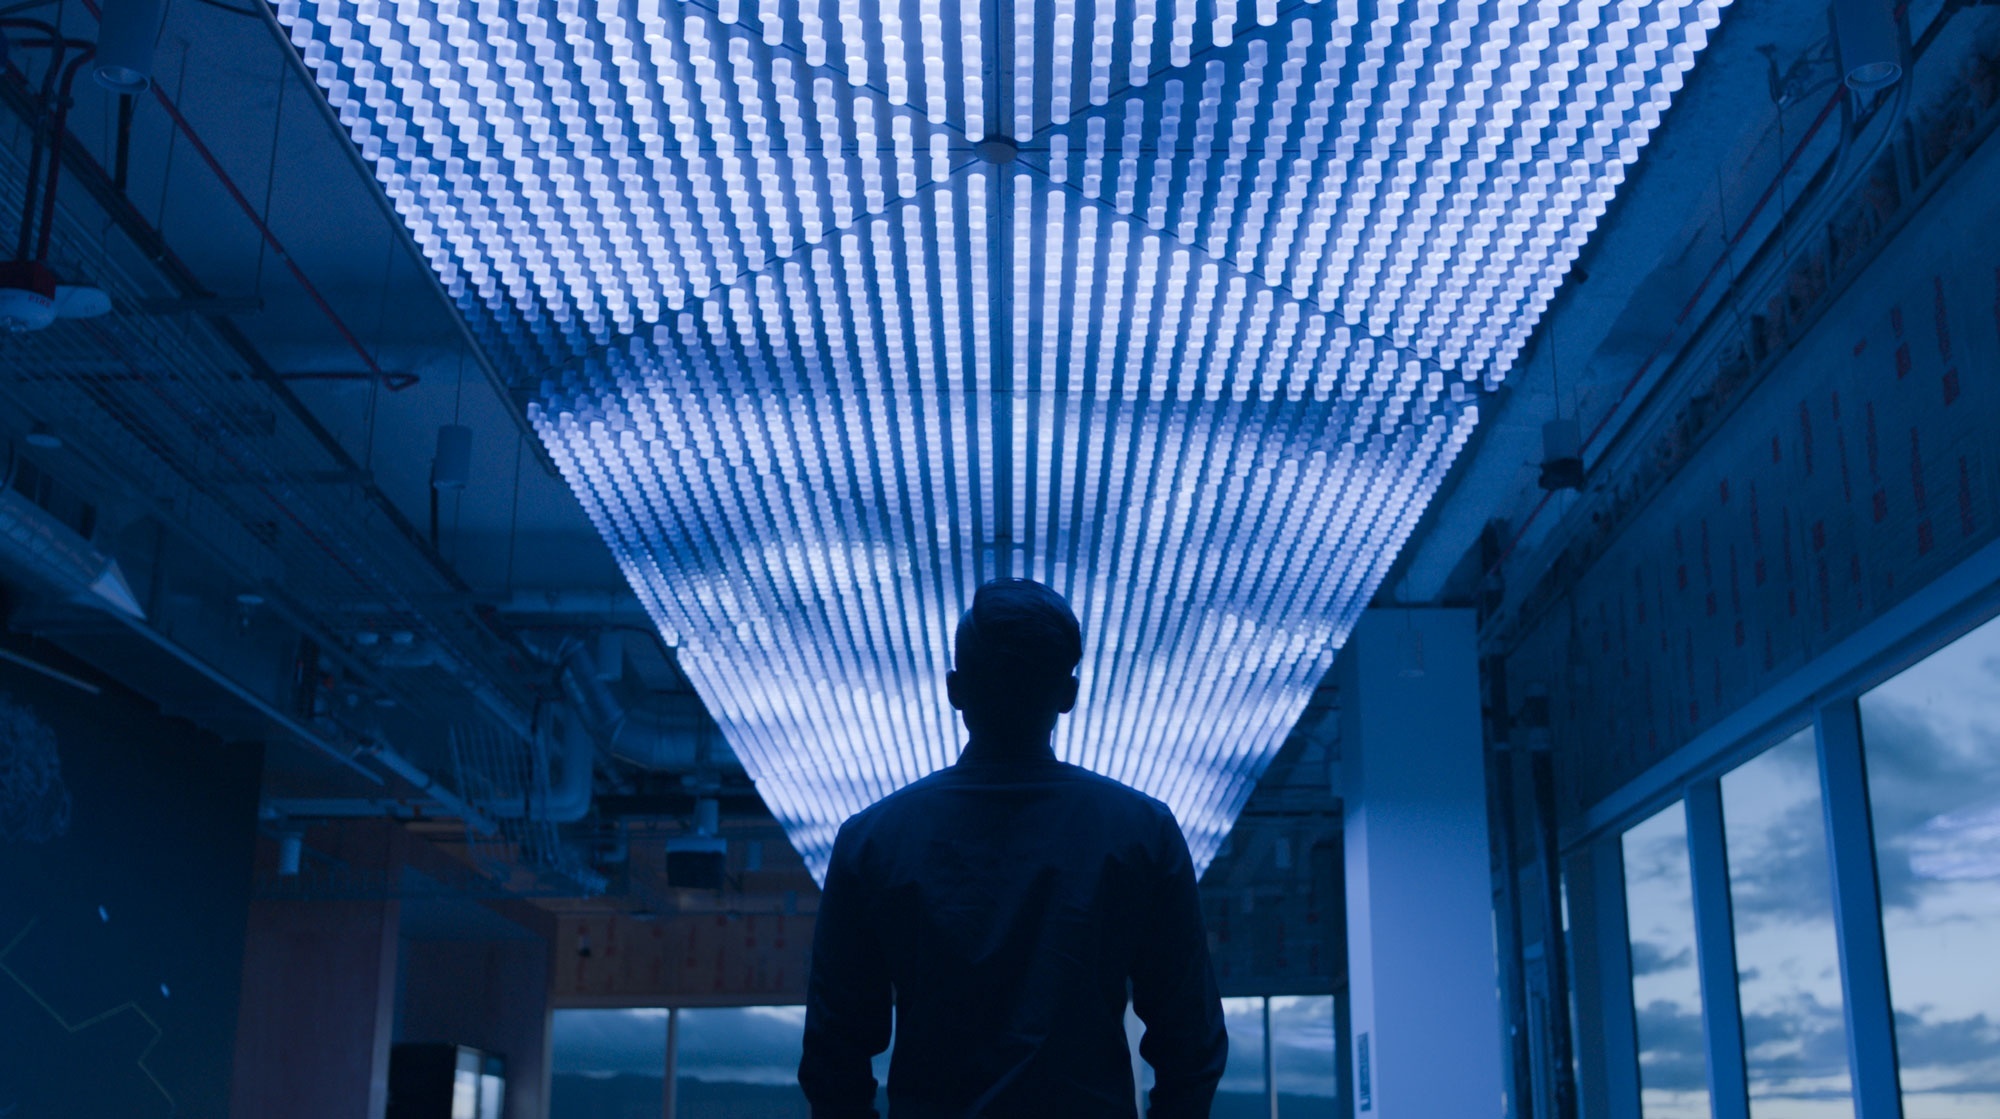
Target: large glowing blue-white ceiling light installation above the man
{"type": "Point", "coordinates": [1197, 355]}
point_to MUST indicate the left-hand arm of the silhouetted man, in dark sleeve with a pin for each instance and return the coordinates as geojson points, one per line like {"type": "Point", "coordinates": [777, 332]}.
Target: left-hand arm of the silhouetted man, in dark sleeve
{"type": "Point", "coordinates": [847, 996]}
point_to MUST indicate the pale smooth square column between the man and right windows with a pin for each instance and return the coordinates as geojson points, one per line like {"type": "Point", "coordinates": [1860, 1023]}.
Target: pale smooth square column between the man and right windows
{"type": "Point", "coordinates": [1419, 880]}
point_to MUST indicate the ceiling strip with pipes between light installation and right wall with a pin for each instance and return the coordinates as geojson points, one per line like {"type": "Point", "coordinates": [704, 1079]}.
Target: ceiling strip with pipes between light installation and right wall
{"type": "Point", "coordinates": [1737, 187]}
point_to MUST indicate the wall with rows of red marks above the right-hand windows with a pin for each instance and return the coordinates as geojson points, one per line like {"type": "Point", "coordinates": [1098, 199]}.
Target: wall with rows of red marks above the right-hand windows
{"type": "Point", "coordinates": [1865, 465]}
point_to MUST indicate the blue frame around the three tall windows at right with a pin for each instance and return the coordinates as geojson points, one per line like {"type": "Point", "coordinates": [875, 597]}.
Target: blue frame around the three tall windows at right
{"type": "Point", "coordinates": [1823, 694]}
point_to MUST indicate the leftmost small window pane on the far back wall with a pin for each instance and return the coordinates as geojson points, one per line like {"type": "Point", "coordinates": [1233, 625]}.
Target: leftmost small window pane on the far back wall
{"type": "Point", "coordinates": [607, 1064]}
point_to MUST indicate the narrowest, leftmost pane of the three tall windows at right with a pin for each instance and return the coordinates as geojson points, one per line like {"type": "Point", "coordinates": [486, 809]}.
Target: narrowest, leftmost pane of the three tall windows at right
{"type": "Point", "coordinates": [1667, 994]}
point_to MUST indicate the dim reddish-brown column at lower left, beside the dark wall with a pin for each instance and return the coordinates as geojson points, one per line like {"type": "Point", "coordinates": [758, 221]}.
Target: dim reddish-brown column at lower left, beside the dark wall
{"type": "Point", "coordinates": [319, 998]}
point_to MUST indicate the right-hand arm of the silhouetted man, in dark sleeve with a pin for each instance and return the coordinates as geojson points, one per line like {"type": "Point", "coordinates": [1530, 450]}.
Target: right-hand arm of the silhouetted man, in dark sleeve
{"type": "Point", "coordinates": [1175, 992]}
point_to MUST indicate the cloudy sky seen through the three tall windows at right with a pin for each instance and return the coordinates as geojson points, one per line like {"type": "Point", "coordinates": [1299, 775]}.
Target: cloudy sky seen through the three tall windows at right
{"type": "Point", "coordinates": [1933, 740]}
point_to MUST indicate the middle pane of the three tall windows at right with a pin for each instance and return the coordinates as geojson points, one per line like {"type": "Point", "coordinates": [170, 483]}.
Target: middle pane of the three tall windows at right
{"type": "Point", "coordinates": [1787, 950]}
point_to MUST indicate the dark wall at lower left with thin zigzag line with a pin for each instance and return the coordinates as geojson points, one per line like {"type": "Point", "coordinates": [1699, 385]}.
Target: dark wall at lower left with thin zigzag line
{"type": "Point", "coordinates": [125, 882]}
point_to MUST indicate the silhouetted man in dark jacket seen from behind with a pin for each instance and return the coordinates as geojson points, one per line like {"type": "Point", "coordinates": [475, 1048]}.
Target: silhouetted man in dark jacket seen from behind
{"type": "Point", "coordinates": [1005, 906]}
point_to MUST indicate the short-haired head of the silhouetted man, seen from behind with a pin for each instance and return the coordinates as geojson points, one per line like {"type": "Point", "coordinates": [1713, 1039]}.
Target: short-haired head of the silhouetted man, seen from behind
{"type": "Point", "coordinates": [1017, 658]}
